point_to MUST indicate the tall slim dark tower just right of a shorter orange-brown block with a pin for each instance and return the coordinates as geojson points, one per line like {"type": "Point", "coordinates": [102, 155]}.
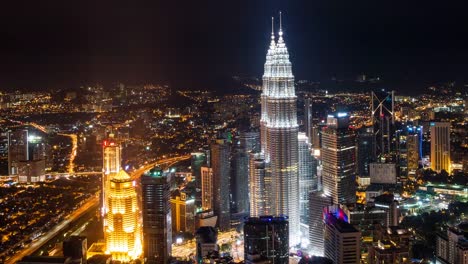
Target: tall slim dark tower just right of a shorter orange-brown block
{"type": "Point", "coordinates": [220, 165]}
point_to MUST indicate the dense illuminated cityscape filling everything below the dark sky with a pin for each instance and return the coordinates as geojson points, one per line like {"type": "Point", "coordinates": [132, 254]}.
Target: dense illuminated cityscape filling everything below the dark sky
{"type": "Point", "coordinates": [275, 170]}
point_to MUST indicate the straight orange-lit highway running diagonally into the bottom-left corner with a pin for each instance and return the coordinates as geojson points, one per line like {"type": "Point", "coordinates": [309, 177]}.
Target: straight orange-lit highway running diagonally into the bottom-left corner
{"type": "Point", "coordinates": [35, 245]}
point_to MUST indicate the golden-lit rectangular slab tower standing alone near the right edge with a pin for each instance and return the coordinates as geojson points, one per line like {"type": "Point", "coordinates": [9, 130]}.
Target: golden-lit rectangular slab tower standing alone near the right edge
{"type": "Point", "coordinates": [440, 146]}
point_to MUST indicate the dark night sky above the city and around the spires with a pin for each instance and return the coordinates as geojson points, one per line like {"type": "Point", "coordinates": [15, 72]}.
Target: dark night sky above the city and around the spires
{"type": "Point", "coordinates": [53, 44]}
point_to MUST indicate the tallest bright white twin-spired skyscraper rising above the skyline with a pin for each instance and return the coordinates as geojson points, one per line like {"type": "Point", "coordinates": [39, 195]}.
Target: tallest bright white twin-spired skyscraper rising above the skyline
{"type": "Point", "coordinates": [279, 131]}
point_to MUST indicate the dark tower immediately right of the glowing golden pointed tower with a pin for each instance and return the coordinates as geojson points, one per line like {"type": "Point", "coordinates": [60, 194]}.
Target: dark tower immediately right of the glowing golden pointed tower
{"type": "Point", "coordinates": [157, 220]}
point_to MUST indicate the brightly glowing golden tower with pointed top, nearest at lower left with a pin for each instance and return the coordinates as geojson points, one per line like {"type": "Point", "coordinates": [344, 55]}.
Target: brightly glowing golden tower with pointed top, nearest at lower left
{"type": "Point", "coordinates": [123, 230]}
